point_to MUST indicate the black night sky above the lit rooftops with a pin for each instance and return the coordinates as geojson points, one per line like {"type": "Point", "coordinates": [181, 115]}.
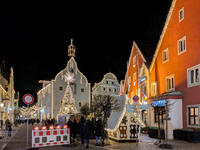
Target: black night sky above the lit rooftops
{"type": "Point", "coordinates": [34, 37]}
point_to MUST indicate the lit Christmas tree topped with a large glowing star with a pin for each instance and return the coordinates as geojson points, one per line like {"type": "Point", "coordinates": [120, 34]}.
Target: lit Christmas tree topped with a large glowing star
{"type": "Point", "coordinates": [67, 105]}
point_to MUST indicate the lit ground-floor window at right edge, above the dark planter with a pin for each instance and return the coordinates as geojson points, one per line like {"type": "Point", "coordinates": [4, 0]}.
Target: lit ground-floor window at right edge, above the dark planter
{"type": "Point", "coordinates": [193, 115]}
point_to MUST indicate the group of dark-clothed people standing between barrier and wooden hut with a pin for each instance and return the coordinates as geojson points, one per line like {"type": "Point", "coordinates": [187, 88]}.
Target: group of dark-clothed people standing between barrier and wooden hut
{"type": "Point", "coordinates": [84, 129]}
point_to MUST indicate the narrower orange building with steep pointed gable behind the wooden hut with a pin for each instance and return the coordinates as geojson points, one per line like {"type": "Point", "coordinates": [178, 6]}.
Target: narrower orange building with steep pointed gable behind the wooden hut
{"type": "Point", "coordinates": [137, 78]}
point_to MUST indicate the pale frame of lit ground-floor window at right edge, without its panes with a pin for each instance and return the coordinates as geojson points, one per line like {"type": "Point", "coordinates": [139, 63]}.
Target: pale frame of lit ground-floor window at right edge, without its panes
{"type": "Point", "coordinates": [187, 109]}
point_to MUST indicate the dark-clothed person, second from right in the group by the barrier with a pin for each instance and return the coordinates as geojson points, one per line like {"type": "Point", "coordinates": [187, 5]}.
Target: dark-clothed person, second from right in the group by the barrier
{"type": "Point", "coordinates": [87, 131]}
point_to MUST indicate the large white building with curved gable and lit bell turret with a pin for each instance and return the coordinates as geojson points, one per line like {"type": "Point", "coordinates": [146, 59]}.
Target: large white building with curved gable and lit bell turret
{"type": "Point", "coordinates": [53, 91]}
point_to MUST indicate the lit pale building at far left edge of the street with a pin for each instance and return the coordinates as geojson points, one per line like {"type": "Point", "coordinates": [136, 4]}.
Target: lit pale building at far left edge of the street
{"type": "Point", "coordinates": [7, 95]}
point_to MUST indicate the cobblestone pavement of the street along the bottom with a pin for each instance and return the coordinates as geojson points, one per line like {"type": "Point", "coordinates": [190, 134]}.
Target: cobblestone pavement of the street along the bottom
{"type": "Point", "coordinates": [19, 135]}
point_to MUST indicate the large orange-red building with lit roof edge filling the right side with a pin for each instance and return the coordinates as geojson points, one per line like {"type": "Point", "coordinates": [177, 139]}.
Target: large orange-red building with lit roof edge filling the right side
{"type": "Point", "coordinates": [174, 70]}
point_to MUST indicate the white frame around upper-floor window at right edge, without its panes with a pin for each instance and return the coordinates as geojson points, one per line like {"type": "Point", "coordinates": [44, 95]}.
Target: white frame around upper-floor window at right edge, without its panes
{"type": "Point", "coordinates": [189, 84]}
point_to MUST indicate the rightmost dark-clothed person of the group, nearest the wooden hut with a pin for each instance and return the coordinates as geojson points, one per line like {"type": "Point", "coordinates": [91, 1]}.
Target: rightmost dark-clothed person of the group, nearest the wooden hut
{"type": "Point", "coordinates": [98, 131]}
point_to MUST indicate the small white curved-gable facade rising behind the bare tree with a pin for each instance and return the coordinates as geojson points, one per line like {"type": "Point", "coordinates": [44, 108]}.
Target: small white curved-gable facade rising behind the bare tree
{"type": "Point", "coordinates": [108, 85]}
